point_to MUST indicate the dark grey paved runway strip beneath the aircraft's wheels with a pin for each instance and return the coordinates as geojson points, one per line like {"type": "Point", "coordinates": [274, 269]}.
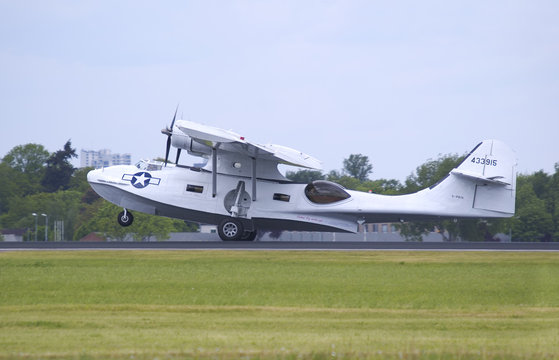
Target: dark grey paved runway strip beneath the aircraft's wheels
{"type": "Point", "coordinates": [280, 245]}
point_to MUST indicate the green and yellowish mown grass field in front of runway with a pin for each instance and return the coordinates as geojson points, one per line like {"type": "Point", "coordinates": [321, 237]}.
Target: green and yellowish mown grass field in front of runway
{"type": "Point", "coordinates": [279, 305]}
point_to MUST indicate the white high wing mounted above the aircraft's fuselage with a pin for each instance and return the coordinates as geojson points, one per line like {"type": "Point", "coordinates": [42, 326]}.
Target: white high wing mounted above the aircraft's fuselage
{"type": "Point", "coordinates": [227, 140]}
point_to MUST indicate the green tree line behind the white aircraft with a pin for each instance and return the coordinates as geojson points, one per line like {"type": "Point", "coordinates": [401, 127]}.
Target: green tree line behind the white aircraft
{"type": "Point", "coordinates": [34, 181]}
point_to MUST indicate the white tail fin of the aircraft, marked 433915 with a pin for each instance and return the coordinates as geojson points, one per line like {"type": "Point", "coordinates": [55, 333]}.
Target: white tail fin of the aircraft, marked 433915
{"type": "Point", "coordinates": [490, 168]}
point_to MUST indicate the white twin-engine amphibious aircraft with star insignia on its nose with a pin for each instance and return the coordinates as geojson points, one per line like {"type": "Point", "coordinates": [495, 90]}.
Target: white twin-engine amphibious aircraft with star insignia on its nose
{"type": "Point", "coordinates": [241, 190]}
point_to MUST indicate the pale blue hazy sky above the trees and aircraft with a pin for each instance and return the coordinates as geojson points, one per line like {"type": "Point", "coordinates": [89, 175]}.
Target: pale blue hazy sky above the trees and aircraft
{"type": "Point", "coordinates": [400, 82]}
